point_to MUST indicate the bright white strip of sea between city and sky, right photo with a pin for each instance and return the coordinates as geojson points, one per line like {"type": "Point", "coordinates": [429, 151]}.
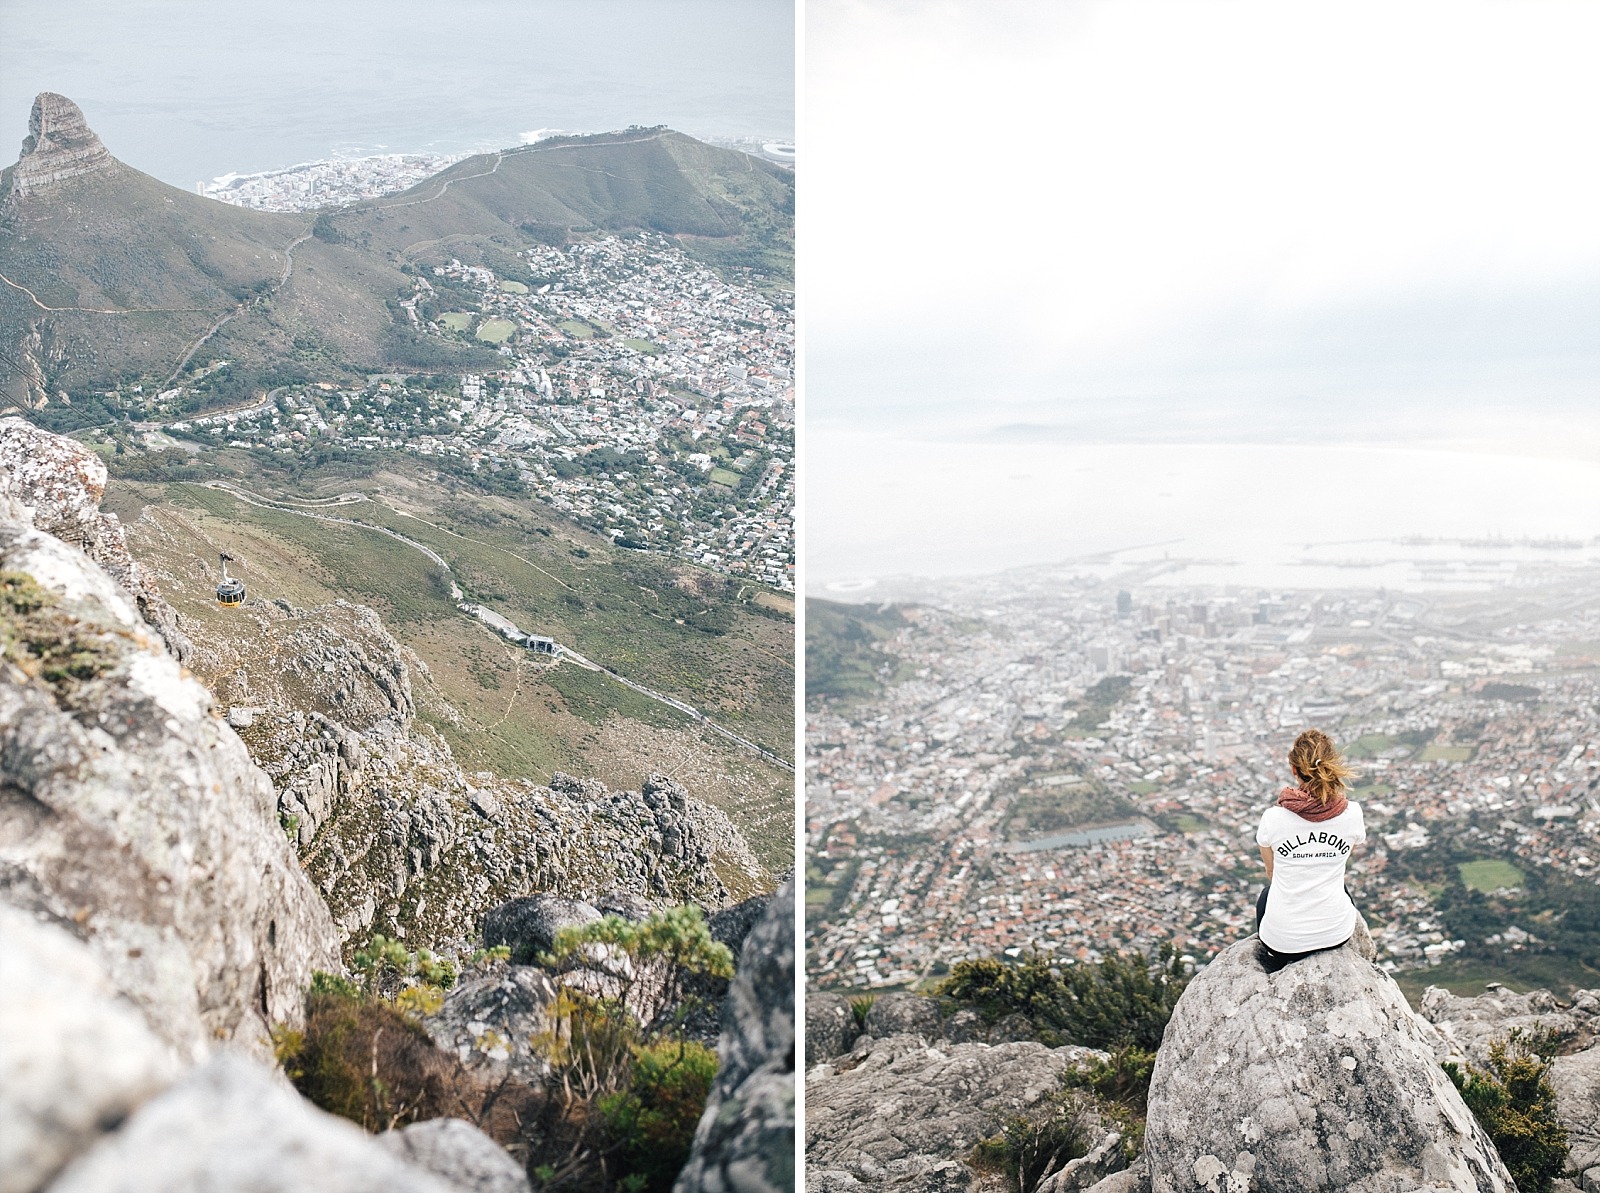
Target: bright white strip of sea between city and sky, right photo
{"type": "Point", "coordinates": [1335, 516]}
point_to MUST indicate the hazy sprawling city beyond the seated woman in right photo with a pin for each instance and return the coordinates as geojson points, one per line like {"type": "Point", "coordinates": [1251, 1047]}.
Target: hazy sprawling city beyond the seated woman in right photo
{"type": "Point", "coordinates": [1060, 765]}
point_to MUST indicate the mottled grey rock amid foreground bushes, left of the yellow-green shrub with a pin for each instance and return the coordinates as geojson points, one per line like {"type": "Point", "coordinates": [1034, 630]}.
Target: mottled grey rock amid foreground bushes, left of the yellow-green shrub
{"type": "Point", "coordinates": [490, 1023]}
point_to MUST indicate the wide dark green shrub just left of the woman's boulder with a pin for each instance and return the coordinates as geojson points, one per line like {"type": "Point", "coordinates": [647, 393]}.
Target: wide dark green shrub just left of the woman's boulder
{"type": "Point", "coordinates": [1114, 1003]}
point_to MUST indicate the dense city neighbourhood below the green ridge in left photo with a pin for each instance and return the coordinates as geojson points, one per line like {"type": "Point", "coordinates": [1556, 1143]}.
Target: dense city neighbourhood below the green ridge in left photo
{"type": "Point", "coordinates": [639, 393]}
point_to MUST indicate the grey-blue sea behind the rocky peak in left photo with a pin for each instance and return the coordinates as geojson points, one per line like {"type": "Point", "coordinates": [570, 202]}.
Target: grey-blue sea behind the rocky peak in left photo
{"type": "Point", "coordinates": [190, 92]}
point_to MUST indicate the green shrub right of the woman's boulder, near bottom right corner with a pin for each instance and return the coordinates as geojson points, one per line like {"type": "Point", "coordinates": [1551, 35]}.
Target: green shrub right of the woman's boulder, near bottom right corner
{"type": "Point", "coordinates": [1516, 1104]}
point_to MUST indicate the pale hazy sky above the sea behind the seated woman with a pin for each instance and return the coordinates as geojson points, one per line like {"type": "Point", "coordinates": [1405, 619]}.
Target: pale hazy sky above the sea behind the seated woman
{"type": "Point", "coordinates": [1202, 220]}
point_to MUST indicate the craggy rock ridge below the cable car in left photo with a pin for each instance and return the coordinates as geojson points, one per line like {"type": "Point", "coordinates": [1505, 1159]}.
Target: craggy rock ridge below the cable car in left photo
{"type": "Point", "coordinates": [396, 836]}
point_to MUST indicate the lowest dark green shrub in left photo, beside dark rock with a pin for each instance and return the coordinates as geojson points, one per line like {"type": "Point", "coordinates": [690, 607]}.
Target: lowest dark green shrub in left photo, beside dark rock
{"type": "Point", "coordinates": [652, 1123]}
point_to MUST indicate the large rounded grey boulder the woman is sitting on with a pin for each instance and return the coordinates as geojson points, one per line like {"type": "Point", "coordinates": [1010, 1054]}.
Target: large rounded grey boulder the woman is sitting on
{"type": "Point", "coordinates": [1314, 1077]}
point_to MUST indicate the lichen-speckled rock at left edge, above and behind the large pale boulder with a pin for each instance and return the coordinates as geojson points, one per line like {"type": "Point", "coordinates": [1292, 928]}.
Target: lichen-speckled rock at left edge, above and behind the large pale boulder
{"type": "Point", "coordinates": [62, 484]}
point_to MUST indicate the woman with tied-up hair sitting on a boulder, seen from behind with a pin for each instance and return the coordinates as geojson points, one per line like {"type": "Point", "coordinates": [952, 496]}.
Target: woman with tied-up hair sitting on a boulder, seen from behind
{"type": "Point", "coordinates": [1306, 839]}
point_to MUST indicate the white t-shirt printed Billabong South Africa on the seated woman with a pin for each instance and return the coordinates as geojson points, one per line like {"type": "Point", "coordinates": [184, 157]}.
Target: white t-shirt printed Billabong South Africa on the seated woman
{"type": "Point", "coordinates": [1308, 908]}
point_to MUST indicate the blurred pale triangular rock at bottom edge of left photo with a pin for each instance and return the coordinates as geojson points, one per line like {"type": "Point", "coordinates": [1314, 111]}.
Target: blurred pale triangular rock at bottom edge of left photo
{"type": "Point", "coordinates": [231, 1125]}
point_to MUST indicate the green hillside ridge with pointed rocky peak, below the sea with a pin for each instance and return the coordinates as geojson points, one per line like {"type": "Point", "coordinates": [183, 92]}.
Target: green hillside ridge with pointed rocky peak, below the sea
{"type": "Point", "coordinates": [113, 276]}
